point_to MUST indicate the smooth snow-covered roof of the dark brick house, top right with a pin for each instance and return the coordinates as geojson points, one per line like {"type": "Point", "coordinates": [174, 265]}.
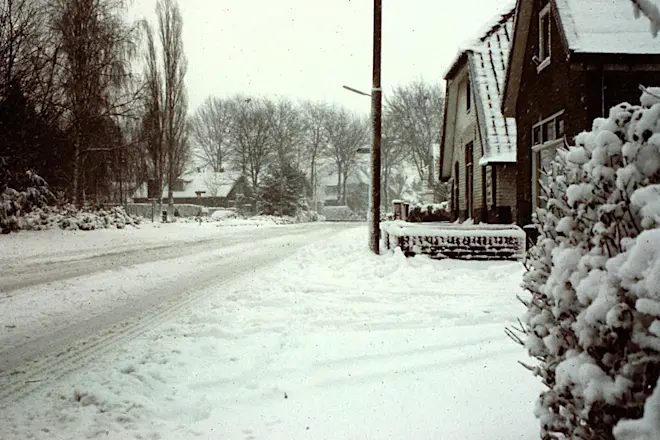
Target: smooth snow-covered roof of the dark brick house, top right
{"type": "Point", "coordinates": [605, 27]}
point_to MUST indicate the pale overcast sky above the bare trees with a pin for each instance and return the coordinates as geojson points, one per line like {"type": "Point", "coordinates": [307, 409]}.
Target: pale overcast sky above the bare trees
{"type": "Point", "coordinates": [308, 49]}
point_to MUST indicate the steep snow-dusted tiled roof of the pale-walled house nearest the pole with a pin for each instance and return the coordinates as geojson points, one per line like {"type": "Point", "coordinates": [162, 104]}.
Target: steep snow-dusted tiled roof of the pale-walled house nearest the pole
{"type": "Point", "coordinates": [488, 58]}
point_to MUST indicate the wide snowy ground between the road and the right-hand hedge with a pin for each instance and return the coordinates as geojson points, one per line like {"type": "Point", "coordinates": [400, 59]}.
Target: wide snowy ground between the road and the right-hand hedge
{"type": "Point", "coordinates": [333, 343]}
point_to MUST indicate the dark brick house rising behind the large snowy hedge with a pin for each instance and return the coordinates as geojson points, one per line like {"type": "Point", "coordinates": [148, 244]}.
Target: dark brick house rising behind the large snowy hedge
{"type": "Point", "coordinates": [570, 62]}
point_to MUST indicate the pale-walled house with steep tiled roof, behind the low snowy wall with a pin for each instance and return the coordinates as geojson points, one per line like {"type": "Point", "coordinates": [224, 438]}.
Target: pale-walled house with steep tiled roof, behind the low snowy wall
{"type": "Point", "coordinates": [478, 144]}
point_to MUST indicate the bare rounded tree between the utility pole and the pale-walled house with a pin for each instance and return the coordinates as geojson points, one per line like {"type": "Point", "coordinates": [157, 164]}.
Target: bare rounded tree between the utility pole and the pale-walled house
{"type": "Point", "coordinates": [414, 113]}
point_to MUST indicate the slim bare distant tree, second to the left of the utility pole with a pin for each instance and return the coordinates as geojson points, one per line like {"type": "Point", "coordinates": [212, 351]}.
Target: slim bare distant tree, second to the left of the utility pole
{"type": "Point", "coordinates": [314, 116]}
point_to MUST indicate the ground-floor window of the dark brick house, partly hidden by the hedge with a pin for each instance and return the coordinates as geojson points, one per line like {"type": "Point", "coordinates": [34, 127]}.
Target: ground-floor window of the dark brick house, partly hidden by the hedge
{"type": "Point", "coordinates": [547, 137]}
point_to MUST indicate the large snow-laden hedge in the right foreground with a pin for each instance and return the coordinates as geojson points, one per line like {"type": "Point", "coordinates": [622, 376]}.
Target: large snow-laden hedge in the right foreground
{"type": "Point", "coordinates": [593, 314]}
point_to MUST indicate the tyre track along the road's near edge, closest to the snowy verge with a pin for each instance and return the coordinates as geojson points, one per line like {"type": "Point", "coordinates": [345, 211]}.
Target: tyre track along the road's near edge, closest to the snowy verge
{"type": "Point", "coordinates": [77, 350]}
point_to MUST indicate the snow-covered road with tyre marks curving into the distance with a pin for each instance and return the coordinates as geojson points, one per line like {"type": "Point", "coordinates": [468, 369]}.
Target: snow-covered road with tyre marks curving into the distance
{"type": "Point", "coordinates": [53, 323]}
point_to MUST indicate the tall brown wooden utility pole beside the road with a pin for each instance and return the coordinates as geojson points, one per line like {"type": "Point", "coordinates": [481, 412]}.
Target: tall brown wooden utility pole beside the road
{"type": "Point", "coordinates": [376, 122]}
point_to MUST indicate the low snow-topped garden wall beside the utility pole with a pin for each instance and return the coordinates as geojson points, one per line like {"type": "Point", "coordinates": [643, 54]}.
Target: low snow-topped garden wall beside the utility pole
{"type": "Point", "coordinates": [448, 240]}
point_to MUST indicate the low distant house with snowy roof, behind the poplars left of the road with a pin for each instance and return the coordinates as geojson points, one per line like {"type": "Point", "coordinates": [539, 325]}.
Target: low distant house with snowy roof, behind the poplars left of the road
{"type": "Point", "coordinates": [217, 189]}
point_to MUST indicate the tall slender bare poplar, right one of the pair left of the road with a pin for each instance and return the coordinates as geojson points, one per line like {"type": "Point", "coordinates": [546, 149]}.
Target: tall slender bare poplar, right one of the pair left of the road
{"type": "Point", "coordinates": [175, 100]}
